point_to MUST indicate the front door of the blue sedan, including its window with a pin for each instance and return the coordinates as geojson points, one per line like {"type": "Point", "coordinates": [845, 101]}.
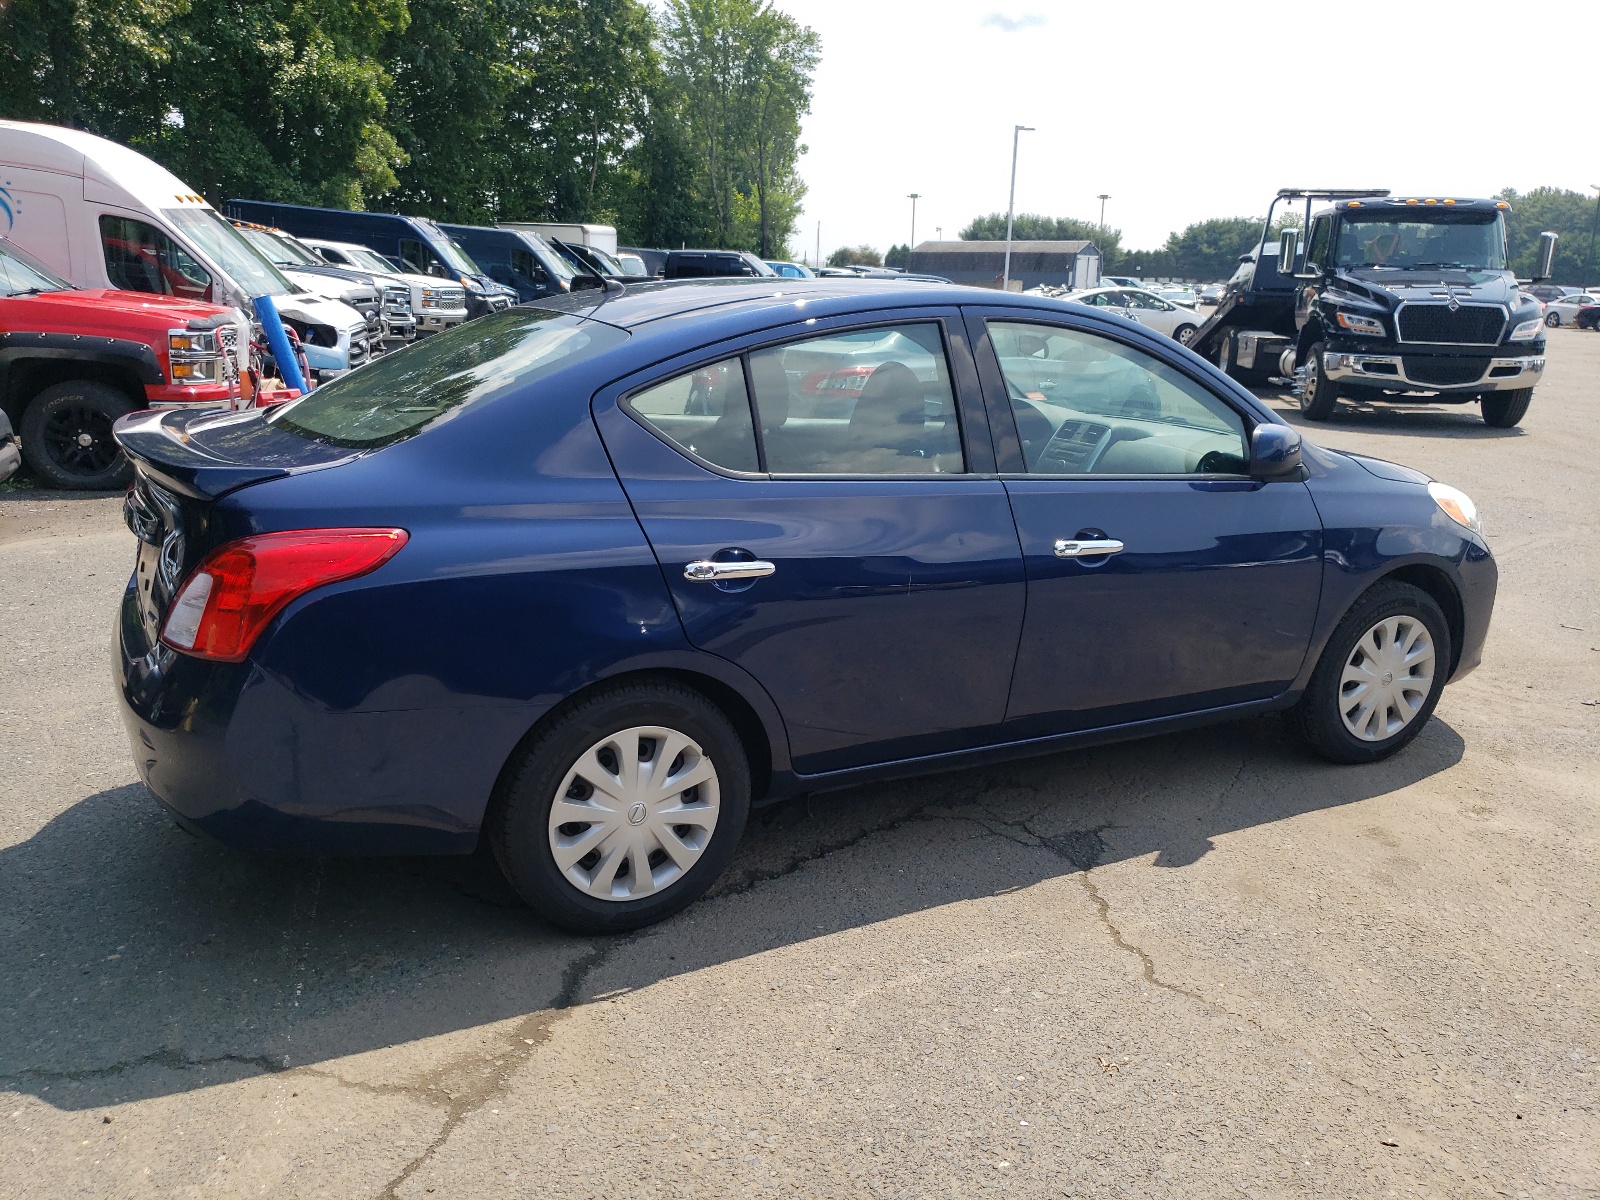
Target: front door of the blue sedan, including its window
{"type": "Point", "coordinates": [1161, 578]}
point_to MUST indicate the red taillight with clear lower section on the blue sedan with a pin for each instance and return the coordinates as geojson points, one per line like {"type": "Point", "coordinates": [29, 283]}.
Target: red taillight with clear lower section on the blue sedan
{"type": "Point", "coordinates": [231, 598]}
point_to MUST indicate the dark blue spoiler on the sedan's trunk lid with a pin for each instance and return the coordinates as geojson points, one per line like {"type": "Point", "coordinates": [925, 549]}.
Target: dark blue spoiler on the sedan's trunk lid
{"type": "Point", "coordinates": [207, 454]}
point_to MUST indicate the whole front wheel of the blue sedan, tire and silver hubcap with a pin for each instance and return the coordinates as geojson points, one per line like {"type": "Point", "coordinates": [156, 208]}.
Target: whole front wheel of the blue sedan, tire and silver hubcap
{"type": "Point", "coordinates": [1378, 679]}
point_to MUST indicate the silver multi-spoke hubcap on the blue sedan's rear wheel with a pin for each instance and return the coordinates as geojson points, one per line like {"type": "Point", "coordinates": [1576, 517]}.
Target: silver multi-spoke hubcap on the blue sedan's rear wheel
{"type": "Point", "coordinates": [634, 814]}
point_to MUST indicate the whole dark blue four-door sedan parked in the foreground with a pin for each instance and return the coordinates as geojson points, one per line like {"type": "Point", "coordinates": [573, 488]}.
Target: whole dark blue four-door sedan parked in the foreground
{"type": "Point", "coordinates": [593, 578]}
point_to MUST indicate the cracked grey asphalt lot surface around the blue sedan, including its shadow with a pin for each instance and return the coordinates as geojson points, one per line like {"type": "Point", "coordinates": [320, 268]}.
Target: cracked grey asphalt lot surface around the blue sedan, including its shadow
{"type": "Point", "coordinates": [1191, 967]}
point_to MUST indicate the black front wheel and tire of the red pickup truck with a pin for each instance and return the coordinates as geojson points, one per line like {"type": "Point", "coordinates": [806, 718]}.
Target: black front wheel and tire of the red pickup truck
{"type": "Point", "coordinates": [66, 436]}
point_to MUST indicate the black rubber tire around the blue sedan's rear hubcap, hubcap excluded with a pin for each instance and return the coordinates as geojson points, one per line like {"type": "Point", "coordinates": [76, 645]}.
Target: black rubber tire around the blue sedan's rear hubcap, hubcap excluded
{"type": "Point", "coordinates": [519, 823]}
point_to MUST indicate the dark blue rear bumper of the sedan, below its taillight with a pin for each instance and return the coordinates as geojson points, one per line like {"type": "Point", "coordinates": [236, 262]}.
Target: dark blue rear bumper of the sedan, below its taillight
{"type": "Point", "coordinates": [238, 754]}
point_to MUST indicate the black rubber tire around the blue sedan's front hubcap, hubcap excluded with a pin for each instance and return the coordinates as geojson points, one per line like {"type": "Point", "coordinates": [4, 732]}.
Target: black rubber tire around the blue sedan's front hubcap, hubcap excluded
{"type": "Point", "coordinates": [1318, 718]}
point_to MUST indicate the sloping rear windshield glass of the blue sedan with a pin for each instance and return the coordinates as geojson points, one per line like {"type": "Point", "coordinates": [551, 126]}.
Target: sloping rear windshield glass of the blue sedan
{"type": "Point", "coordinates": [407, 391]}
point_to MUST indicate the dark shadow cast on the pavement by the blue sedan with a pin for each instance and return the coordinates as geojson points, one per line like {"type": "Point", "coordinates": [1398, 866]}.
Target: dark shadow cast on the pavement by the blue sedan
{"type": "Point", "coordinates": [142, 961]}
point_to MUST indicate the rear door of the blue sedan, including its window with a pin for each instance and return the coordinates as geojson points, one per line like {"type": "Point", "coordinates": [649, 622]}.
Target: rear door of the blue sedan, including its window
{"type": "Point", "coordinates": [857, 559]}
